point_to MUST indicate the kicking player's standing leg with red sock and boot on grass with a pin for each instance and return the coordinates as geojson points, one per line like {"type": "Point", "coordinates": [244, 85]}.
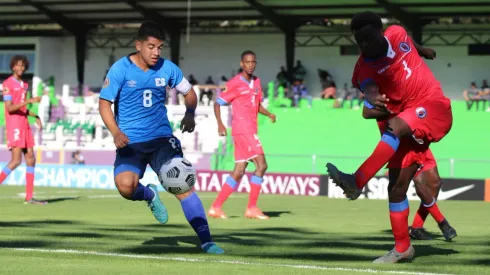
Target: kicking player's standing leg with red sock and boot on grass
{"type": "Point", "coordinates": [400, 179]}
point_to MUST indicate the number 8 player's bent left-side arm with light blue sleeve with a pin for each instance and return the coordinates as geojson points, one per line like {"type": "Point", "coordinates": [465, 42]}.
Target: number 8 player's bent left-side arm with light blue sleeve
{"type": "Point", "coordinates": [108, 94]}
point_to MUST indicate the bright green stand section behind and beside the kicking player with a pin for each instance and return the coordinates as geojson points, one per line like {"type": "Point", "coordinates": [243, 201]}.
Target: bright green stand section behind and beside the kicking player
{"type": "Point", "coordinates": [304, 139]}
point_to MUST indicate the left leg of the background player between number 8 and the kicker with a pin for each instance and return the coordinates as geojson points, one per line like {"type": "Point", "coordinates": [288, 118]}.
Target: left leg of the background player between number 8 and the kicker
{"type": "Point", "coordinates": [227, 188]}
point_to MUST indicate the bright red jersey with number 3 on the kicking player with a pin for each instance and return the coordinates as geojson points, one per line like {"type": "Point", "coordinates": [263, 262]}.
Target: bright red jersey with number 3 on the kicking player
{"type": "Point", "coordinates": [402, 75]}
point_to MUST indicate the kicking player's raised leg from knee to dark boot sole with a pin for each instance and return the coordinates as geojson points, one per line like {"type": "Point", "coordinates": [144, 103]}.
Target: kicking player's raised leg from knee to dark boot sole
{"type": "Point", "coordinates": [352, 185]}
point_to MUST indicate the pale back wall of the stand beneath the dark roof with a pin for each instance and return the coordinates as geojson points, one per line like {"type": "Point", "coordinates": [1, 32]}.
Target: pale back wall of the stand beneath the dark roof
{"type": "Point", "coordinates": [218, 55]}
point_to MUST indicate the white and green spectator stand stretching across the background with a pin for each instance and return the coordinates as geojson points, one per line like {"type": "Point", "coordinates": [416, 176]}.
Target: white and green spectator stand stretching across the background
{"type": "Point", "coordinates": [301, 141]}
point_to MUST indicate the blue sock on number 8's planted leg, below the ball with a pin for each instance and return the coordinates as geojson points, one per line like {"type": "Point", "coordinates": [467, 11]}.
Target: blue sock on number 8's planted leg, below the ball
{"type": "Point", "coordinates": [195, 215]}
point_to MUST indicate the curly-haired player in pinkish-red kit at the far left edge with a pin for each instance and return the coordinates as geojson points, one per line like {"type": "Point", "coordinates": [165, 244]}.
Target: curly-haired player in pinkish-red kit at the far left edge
{"type": "Point", "coordinates": [19, 136]}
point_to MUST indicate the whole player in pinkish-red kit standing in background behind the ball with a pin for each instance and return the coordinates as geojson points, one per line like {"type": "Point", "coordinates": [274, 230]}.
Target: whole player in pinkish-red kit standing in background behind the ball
{"type": "Point", "coordinates": [244, 93]}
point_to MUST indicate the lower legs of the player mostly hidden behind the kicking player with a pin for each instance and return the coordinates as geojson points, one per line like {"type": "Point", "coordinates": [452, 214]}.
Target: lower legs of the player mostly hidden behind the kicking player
{"type": "Point", "coordinates": [428, 184]}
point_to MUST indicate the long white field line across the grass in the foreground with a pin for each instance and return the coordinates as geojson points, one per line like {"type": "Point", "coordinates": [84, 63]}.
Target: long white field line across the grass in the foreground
{"type": "Point", "coordinates": [229, 262]}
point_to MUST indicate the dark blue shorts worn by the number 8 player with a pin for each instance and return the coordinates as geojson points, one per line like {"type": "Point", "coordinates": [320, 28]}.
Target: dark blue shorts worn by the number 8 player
{"type": "Point", "coordinates": [135, 157]}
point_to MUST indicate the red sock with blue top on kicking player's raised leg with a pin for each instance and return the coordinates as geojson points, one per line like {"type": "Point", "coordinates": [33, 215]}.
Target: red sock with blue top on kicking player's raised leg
{"type": "Point", "coordinates": [385, 149]}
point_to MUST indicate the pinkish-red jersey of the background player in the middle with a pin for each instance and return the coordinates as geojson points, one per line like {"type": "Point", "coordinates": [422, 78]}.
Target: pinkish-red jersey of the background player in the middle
{"type": "Point", "coordinates": [245, 98]}
